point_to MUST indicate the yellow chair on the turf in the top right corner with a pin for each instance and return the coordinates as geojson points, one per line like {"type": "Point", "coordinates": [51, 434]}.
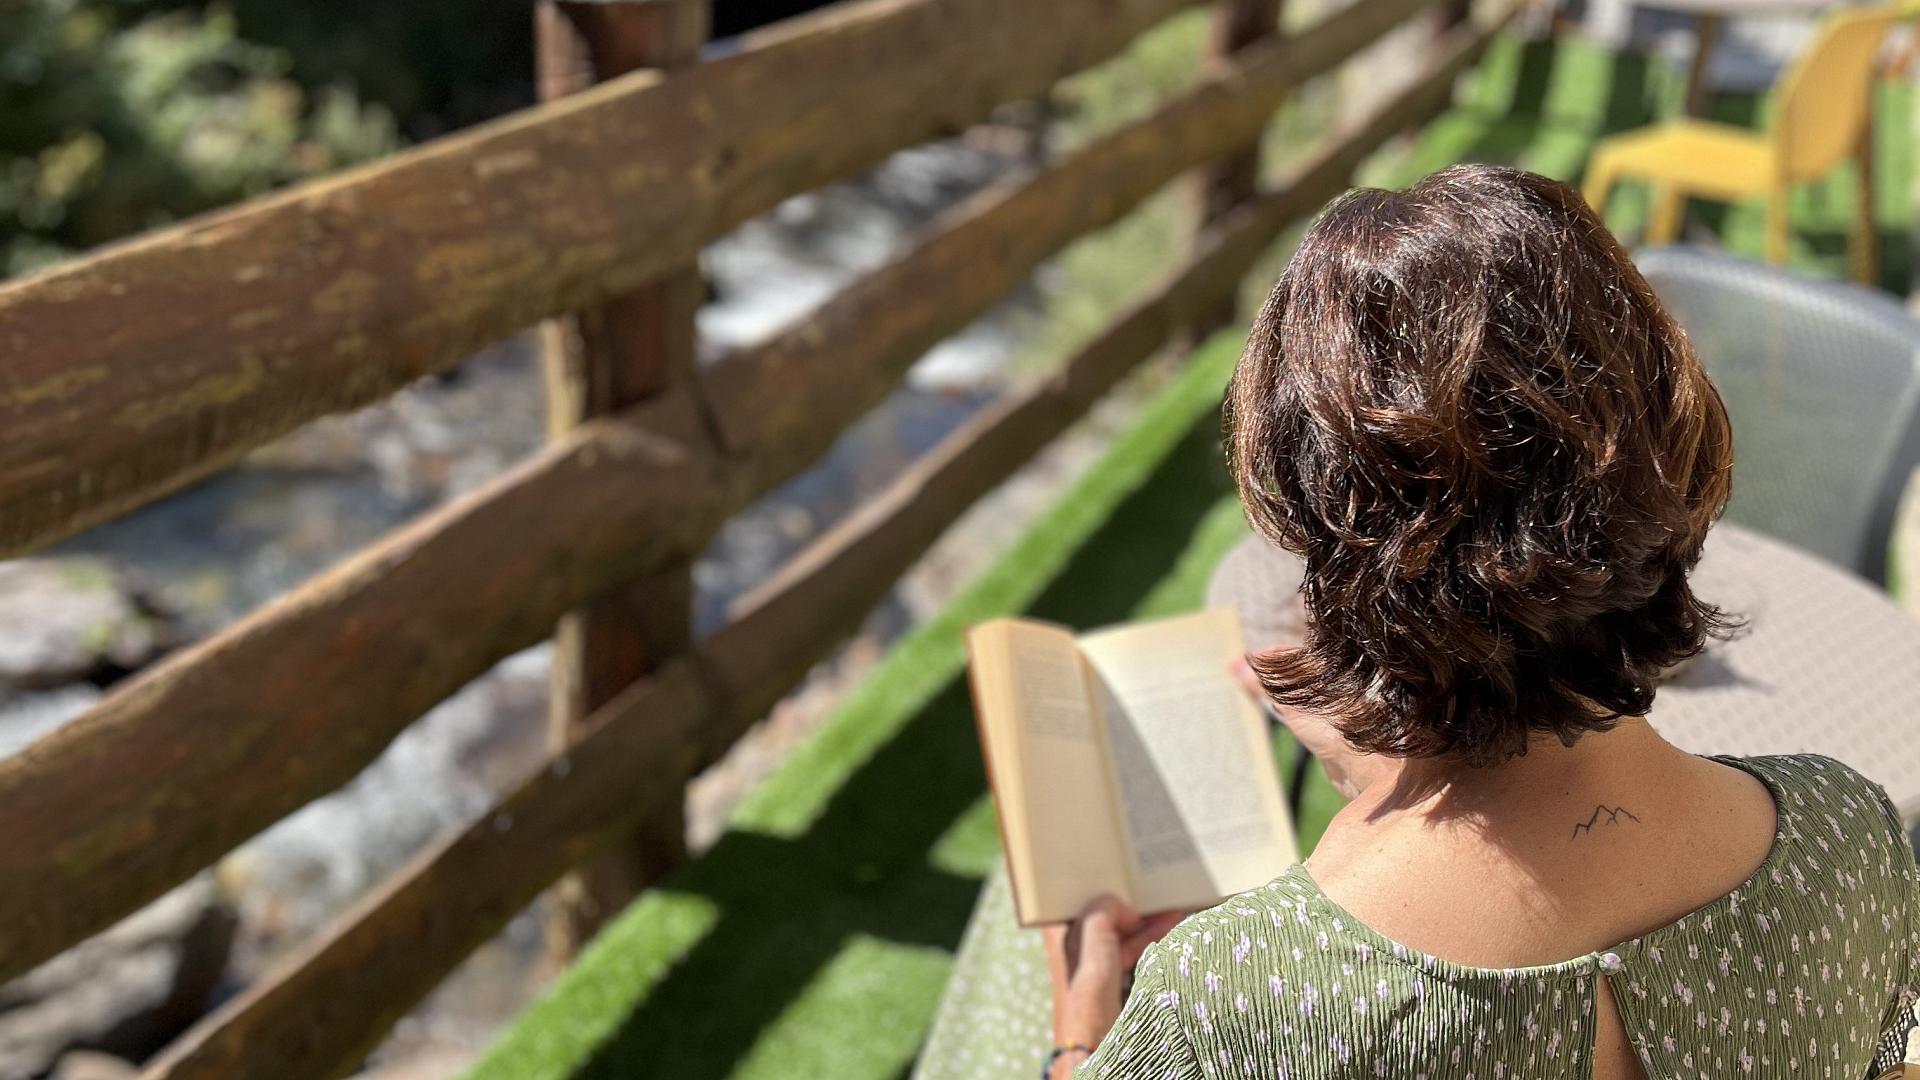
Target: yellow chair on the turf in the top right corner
{"type": "Point", "coordinates": [1823, 116]}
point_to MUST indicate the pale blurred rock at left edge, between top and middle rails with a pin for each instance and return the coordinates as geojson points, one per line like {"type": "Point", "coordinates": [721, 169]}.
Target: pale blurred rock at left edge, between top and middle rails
{"type": "Point", "coordinates": [74, 620]}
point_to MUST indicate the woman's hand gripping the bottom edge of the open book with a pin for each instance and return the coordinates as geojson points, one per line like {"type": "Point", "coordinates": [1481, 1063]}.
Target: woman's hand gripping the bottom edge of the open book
{"type": "Point", "coordinates": [1090, 960]}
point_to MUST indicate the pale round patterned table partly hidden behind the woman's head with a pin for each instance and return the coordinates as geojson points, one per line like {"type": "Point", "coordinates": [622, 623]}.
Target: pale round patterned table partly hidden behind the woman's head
{"type": "Point", "coordinates": [1827, 662]}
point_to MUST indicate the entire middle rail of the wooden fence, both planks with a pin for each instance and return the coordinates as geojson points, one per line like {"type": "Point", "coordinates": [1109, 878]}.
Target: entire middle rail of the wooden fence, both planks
{"type": "Point", "coordinates": [299, 699]}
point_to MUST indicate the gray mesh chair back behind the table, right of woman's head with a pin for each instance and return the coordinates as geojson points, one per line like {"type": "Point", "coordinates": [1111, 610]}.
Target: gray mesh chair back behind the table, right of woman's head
{"type": "Point", "coordinates": [1823, 383]}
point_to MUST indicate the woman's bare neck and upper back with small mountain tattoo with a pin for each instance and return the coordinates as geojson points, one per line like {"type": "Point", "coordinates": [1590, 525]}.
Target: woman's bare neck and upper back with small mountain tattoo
{"type": "Point", "coordinates": [1547, 856]}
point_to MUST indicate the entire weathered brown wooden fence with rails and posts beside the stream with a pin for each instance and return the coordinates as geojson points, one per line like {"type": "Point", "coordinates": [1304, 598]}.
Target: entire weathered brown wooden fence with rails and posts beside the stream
{"type": "Point", "coordinates": [151, 364]}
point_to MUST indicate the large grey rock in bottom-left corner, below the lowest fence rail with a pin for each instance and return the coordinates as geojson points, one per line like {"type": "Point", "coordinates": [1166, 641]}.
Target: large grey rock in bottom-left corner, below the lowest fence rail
{"type": "Point", "coordinates": [128, 991]}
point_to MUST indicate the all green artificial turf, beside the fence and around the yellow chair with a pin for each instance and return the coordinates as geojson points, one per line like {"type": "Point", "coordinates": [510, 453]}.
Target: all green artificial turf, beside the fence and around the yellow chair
{"type": "Point", "coordinates": [817, 937]}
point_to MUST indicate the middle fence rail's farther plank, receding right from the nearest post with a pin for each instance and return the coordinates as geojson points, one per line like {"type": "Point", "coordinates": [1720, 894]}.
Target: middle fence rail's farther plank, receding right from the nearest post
{"type": "Point", "coordinates": [779, 406]}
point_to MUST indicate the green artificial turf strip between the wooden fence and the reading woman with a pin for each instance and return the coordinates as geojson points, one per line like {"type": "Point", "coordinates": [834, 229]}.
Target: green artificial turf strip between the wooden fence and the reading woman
{"type": "Point", "coordinates": [817, 937]}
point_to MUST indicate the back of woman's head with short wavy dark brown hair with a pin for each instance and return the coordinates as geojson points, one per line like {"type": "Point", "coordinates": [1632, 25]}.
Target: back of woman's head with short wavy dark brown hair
{"type": "Point", "coordinates": [1497, 454]}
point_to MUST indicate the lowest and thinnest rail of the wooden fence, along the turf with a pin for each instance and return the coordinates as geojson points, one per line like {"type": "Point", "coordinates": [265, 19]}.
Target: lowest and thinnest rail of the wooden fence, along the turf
{"type": "Point", "coordinates": [320, 1012]}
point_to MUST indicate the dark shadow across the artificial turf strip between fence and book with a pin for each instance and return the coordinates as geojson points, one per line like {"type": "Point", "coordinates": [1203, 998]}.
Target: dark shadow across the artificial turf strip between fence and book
{"type": "Point", "coordinates": [790, 904]}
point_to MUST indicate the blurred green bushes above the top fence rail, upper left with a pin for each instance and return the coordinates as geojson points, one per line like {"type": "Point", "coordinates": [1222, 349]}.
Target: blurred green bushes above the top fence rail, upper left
{"type": "Point", "coordinates": [124, 114]}
